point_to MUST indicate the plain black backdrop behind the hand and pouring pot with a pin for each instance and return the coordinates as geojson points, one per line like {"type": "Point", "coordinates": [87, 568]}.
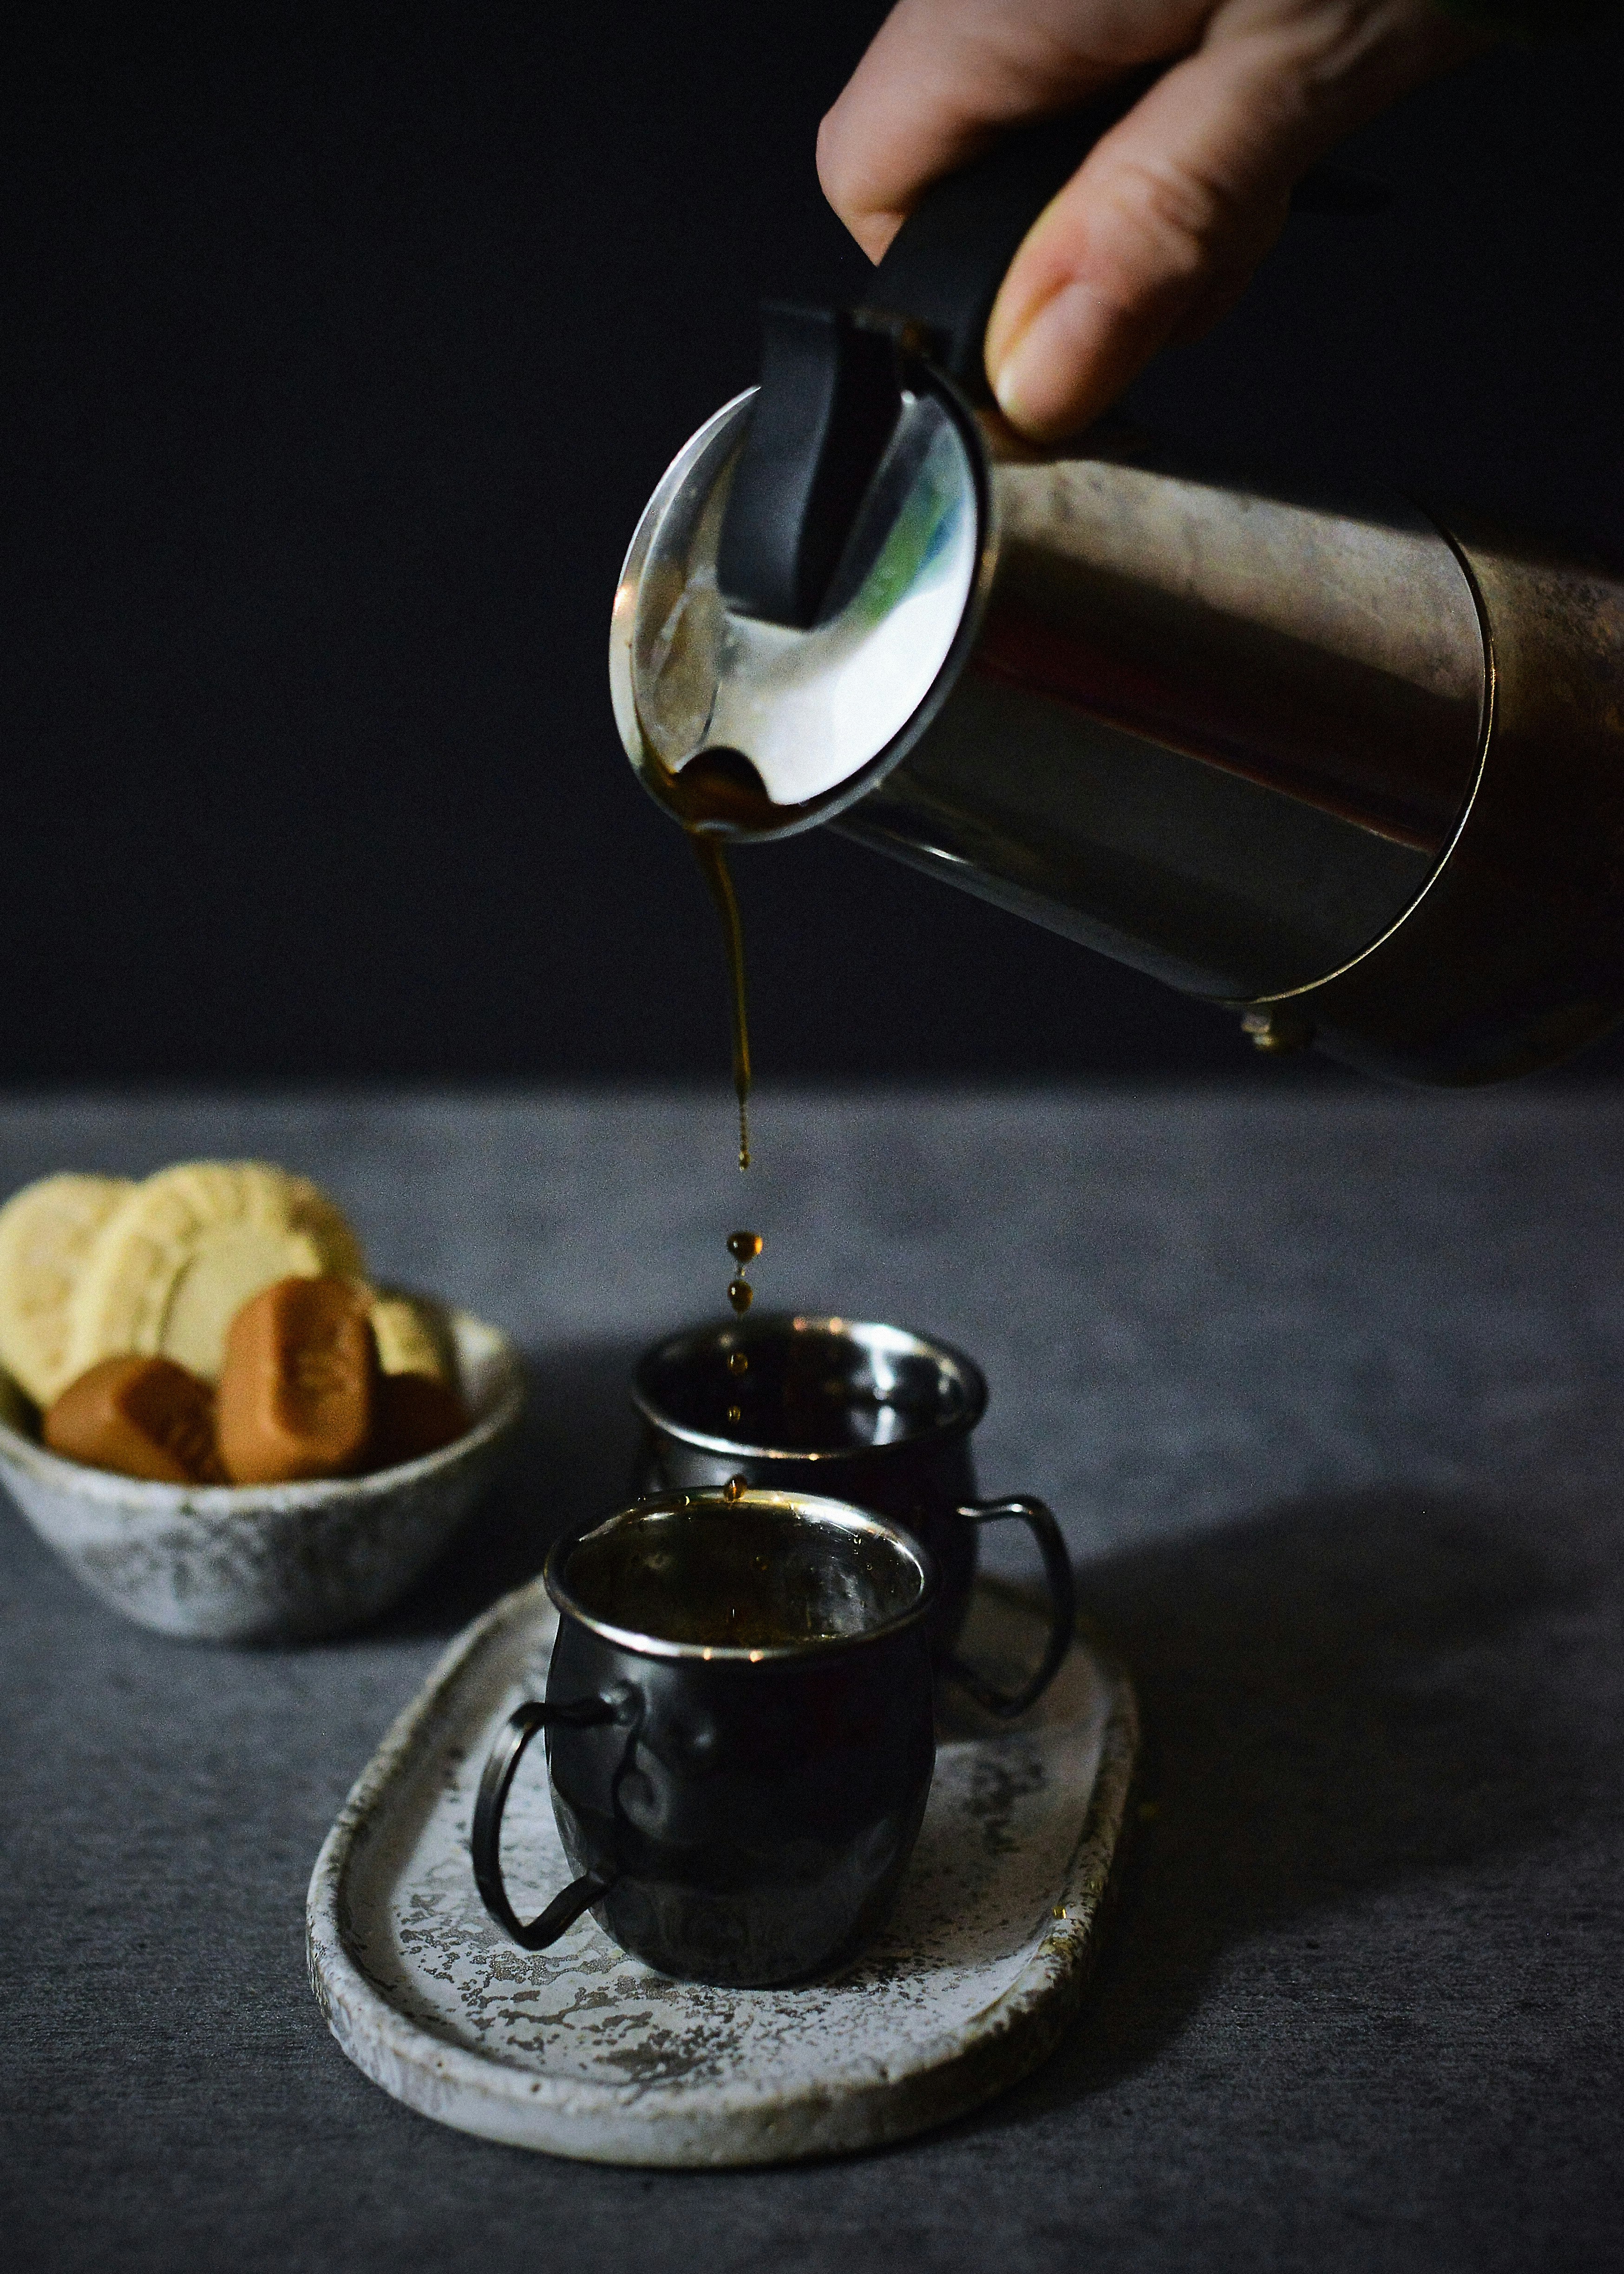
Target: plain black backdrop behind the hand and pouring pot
{"type": "Point", "coordinates": [340, 351]}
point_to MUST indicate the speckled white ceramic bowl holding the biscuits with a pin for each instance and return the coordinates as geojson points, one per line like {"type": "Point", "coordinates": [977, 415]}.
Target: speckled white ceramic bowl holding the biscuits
{"type": "Point", "coordinates": [270, 1563]}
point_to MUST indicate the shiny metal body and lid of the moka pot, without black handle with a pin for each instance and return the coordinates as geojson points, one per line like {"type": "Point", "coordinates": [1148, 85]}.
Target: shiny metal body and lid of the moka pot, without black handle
{"type": "Point", "coordinates": [1348, 770]}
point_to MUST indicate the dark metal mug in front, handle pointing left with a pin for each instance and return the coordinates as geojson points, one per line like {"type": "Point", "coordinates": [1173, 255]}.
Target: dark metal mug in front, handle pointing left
{"type": "Point", "coordinates": [740, 1734]}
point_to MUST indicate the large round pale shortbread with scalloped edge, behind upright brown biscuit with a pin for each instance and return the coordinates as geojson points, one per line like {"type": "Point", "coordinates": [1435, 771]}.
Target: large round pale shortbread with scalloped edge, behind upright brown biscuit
{"type": "Point", "coordinates": [183, 1252]}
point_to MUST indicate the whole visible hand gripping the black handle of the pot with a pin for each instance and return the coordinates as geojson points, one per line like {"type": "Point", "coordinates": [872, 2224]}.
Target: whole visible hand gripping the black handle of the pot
{"type": "Point", "coordinates": [1161, 229]}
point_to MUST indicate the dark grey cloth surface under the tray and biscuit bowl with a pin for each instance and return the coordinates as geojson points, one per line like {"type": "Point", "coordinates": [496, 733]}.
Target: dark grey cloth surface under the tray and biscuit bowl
{"type": "Point", "coordinates": [1327, 1391]}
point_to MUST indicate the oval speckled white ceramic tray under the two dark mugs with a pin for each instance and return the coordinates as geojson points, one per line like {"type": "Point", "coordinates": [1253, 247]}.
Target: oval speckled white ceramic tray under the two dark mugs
{"type": "Point", "coordinates": [586, 2052]}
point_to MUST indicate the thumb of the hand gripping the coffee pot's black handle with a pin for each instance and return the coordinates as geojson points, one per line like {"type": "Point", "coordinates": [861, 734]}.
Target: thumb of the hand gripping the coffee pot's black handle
{"type": "Point", "coordinates": [1170, 215]}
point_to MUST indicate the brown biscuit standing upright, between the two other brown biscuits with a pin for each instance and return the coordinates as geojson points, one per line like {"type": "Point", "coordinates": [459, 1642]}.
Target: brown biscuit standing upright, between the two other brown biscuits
{"type": "Point", "coordinates": [297, 1386]}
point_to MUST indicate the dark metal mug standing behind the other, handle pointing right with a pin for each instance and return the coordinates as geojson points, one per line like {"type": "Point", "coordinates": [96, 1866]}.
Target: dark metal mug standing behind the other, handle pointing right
{"type": "Point", "coordinates": [872, 1413]}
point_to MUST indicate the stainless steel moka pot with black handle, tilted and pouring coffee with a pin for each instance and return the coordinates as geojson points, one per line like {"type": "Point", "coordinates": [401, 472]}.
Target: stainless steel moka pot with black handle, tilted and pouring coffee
{"type": "Point", "coordinates": [1341, 765]}
